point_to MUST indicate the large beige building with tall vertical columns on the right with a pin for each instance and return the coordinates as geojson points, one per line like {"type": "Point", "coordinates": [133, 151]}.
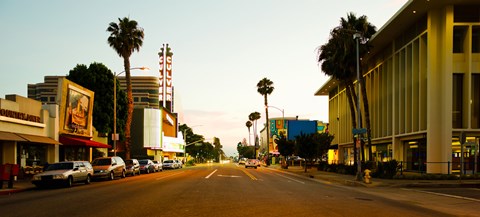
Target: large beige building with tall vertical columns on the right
{"type": "Point", "coordinates": [423, 85]}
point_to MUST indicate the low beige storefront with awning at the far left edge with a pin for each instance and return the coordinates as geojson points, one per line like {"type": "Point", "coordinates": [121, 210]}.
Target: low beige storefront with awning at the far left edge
{"type": "Point", "coordinates": [28, 133]}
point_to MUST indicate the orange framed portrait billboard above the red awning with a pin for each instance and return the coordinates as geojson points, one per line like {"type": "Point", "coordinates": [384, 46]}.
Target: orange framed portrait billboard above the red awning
{"type": "Point", "coordinates": [76, 106]}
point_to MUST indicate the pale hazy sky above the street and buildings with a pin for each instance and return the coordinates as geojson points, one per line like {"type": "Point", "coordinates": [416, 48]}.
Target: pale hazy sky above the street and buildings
{"type": "Point", "coordinates": [221, 49]}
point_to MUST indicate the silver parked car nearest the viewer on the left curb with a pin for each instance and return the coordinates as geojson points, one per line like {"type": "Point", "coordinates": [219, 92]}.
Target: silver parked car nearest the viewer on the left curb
{"type": "Point", "coordinates": [65, 173]}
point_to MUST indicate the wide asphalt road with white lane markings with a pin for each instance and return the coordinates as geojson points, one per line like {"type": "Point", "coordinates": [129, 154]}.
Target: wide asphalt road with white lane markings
{"type": "Point", "coordinates": [217, 190]}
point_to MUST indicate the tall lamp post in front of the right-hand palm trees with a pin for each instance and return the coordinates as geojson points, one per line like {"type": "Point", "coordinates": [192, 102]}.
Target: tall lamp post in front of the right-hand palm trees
{"type": "Point", "coordinates": [357, 37]}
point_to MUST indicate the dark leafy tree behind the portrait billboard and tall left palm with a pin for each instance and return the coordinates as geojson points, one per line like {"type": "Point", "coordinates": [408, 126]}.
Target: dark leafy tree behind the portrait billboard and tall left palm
{"type": "Point", "coordinates": [99, 79]}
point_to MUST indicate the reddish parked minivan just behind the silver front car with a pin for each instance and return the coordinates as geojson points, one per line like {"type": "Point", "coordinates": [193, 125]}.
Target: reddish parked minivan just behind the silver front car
{"type": "Point", "coordinates": [108, 167]}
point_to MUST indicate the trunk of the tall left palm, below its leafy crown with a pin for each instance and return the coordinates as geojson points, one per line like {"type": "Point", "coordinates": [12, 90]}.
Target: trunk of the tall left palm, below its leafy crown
{"type": "Point", "coordinates": [128, 124]}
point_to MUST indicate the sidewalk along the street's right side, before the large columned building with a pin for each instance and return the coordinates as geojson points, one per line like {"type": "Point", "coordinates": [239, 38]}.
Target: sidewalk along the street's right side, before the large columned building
{"type": "Point", "coordinates": [375, 182]}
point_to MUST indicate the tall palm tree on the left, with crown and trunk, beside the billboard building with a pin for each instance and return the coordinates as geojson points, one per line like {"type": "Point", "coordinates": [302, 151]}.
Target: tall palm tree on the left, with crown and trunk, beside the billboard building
{"type": "Point", "coordinates": [125, 38]}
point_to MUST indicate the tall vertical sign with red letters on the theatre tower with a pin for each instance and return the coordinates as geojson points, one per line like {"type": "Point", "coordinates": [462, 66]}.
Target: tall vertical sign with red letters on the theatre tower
{"type": "Point", "coordinates": [166, 84]}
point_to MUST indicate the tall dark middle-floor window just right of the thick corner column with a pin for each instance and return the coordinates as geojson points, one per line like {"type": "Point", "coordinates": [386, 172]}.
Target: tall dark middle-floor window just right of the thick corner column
{"type": "Point", "coordinates": [457, 101]}
